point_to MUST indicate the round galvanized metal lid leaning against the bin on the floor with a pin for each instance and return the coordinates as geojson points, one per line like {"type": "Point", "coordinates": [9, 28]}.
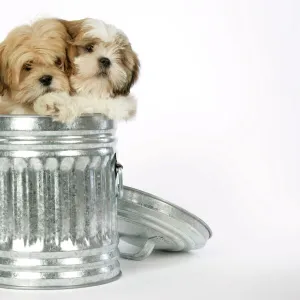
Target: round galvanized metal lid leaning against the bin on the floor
{"type": "Point", "coordinates": [150, 223]}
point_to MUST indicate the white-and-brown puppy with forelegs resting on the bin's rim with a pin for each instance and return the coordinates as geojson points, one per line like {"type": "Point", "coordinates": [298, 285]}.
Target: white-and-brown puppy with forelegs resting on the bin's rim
{"type": "Point", "coordinates": [104, 68]}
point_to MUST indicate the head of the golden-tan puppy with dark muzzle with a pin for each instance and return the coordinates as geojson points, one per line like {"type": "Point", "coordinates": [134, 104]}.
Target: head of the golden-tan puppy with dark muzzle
{"type": "Point", "coordinates": [33, 61]}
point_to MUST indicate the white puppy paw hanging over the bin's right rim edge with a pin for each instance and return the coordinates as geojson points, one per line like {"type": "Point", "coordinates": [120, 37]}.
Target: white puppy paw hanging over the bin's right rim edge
{"type": "Point", "coordinates": [121, 108]}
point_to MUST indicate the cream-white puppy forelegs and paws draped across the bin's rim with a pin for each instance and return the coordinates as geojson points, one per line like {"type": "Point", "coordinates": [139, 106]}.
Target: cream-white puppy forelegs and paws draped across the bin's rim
{"type": "Point", "coordinates": [66, 109]}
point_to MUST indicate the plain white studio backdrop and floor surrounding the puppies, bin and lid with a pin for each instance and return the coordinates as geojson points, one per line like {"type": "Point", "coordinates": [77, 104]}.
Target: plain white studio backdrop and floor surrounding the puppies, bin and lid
{"type": "Point", "coordinates": [217, 133]}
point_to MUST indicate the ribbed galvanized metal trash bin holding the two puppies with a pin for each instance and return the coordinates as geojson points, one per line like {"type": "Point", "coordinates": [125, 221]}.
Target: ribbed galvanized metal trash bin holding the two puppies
{"type": "Point", "coordinates": [58, 202]}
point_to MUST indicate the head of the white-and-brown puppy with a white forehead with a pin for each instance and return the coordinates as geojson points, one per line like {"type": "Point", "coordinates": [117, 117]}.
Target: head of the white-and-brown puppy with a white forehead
{"type": "Point", "coordinates": [103, 60]}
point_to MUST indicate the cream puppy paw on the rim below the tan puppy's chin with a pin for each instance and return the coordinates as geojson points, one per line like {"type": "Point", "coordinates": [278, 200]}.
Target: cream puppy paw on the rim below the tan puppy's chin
{"type": "Point", "coordinates": [57, 105]}
